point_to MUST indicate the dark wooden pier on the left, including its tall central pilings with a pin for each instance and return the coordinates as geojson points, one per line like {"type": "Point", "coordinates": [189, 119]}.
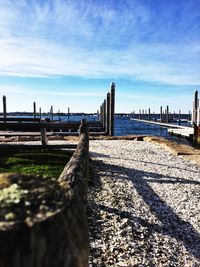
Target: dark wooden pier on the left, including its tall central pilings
{"type": "Point", "coordinates": [36, 124]}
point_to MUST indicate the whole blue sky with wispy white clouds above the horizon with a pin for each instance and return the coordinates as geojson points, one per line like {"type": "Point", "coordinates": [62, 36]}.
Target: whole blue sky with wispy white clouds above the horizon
{"type": "Point", "coordinates": [66, 53]}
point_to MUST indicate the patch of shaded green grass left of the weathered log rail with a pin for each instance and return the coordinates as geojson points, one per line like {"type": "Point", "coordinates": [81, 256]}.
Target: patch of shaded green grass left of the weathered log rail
{"type": "Point", "coordinates": [45, 163]}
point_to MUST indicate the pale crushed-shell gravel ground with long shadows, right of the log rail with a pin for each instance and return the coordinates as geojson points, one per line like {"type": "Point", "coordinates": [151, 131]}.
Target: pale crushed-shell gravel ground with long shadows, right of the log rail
{"type": "Point", "coordinates": [143, 207]}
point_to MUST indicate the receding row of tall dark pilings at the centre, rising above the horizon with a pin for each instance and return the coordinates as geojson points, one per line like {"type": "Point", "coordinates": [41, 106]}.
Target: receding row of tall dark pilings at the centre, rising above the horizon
{"type": "Point", "coordinates": [107, 111]}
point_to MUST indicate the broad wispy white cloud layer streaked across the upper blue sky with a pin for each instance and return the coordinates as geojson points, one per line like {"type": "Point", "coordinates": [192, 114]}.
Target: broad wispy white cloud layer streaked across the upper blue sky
{"type": "Point", "coordinates": [123, 39]}
